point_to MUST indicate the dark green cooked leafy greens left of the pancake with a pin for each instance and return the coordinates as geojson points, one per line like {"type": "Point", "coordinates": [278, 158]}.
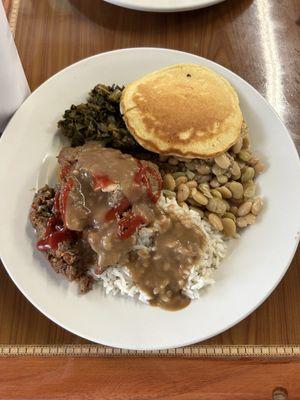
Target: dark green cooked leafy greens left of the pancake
{"type": "Point", "coordinates": [98, 119]}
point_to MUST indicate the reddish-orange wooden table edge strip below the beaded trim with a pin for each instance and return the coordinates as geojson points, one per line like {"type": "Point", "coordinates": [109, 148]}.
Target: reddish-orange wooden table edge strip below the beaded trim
{"type": "Point", "coordinates": [156, 379]}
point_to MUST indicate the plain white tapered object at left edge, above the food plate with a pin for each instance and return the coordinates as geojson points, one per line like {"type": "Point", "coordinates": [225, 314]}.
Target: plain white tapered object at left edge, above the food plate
{"type": "Point", "coordinates": [13, 84]}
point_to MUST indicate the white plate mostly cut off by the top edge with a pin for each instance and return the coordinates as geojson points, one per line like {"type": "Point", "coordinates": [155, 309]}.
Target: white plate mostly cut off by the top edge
{"type": "Point", "coordinates": [164, 5]}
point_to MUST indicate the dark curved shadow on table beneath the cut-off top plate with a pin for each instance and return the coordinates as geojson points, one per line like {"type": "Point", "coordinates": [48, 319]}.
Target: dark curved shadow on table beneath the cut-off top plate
{"type": "Point", "coordinates": [122, 19]}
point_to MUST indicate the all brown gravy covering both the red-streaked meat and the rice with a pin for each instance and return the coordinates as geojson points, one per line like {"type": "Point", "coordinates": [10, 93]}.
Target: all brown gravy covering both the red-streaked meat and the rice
{"type": "Point", "coordinates": [108, 204]}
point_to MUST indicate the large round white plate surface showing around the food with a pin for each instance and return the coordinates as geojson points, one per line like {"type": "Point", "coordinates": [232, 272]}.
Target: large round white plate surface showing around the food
{"type": "Point", "coordinates": [255, 264]}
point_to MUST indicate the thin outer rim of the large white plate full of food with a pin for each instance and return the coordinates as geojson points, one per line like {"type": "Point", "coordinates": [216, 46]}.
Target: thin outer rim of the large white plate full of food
{"type": "Point", "coordinates": [195, 340]}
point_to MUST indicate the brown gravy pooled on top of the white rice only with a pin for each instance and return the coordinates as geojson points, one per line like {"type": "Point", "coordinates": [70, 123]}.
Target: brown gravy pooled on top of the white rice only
{"type": "Point", "coordinates": [163, 273]}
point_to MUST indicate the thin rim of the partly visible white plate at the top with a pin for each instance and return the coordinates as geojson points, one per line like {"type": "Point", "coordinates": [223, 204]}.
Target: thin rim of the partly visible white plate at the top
{"type": "Point", "coordinates": [189, 7]}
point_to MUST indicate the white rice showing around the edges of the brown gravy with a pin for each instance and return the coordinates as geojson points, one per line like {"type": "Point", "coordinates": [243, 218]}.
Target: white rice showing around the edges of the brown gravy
{"type": "Point", "coordinates": [117, 280]}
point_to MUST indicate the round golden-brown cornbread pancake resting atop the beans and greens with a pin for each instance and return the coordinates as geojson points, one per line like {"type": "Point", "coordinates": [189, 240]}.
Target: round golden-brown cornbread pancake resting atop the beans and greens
{"type": "Point", "coordinates": [185, 110]}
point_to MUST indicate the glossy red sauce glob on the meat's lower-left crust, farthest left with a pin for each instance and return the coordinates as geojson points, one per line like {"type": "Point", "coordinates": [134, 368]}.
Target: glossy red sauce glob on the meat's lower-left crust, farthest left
{"type": "Point", "coordinates": [55, 233]}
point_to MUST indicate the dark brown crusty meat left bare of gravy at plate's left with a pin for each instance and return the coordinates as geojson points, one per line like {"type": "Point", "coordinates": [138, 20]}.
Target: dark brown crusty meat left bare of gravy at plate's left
{"type": "Point", "coordinates": [66, 259]}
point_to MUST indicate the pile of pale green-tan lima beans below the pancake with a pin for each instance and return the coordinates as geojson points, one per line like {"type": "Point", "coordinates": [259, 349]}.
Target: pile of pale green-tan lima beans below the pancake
{"type": "Point", "coordinates": [221, 189]}
